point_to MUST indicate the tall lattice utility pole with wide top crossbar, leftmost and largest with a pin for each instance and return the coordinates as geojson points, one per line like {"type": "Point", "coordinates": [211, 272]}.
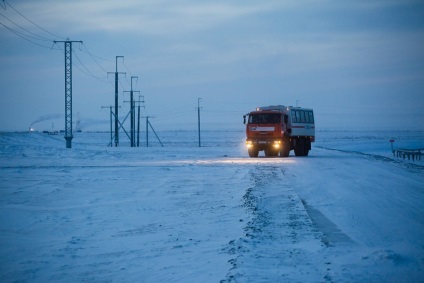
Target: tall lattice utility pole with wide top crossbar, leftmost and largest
{"type": "Point", "coordinates": [68, 91]}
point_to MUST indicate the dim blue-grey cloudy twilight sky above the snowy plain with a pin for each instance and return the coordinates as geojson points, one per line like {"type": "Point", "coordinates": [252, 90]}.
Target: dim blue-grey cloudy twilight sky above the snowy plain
{"type": "Point", "coordinates": [359, 64]}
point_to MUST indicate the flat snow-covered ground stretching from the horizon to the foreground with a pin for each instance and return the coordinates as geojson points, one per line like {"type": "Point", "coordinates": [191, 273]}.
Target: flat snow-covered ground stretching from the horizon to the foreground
{"type": "Point", "coordinates": [349, 212]}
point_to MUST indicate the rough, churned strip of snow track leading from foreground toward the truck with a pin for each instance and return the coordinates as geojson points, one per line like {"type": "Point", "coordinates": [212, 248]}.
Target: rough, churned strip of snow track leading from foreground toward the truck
{"type": "Point", "coordinates": [279, 237]}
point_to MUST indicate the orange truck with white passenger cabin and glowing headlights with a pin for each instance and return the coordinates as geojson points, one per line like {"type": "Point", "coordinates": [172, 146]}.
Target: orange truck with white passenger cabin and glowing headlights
{"type": "Point", "coordinates": [279, 129]}
